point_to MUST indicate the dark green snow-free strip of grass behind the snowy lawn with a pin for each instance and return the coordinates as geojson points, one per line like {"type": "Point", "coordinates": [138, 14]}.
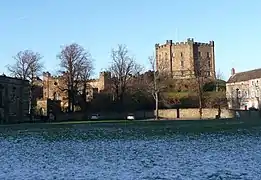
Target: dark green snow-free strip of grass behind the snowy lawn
{"type": "Point", "coordinates": [149, 125]}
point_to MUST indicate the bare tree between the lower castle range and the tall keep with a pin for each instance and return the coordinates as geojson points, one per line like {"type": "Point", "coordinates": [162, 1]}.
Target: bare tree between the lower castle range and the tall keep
{"type": "Point", "coordinates": [123, 68]}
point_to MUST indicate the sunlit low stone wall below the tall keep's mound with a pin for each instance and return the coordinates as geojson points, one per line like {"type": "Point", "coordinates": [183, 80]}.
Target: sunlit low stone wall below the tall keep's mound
{"type": "Point", "coordinates": [193, 113]}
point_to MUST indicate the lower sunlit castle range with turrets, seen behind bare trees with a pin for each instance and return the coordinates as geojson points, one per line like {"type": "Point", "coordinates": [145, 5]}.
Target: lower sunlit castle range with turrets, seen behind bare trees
{"type": "Point", "coordinates": [54, 88]}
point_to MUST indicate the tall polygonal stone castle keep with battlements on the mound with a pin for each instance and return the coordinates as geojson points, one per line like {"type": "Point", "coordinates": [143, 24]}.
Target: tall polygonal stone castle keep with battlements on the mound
{"type": "Point", "coordinates": [185, 59]}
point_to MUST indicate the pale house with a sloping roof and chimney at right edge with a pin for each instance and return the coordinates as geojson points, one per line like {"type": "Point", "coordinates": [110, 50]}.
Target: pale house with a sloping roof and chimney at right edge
{"type": "Point", "coordinates": [243, 89]}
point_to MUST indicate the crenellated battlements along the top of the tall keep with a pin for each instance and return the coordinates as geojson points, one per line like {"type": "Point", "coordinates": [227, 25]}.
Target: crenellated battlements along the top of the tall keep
{"type": "Point", "coordinates": [189, 41]}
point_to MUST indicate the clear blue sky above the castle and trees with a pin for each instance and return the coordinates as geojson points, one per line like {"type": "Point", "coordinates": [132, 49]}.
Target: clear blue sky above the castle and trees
{"type": "Point", "coordinates": [100, 25]}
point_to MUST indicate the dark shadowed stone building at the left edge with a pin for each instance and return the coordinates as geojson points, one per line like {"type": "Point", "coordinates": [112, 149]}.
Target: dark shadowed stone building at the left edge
{"type": "Point", "coordinates": [14, 99]}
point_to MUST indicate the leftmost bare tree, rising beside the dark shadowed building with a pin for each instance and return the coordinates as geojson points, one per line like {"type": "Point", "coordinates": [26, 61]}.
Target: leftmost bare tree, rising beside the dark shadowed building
{"type": "Point", "coordinates": [27, 66]}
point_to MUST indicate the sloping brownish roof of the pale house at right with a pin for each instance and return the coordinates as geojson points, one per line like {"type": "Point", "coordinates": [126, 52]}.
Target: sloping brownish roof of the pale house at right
{"type": "Point", "coordinates": [245, 76]}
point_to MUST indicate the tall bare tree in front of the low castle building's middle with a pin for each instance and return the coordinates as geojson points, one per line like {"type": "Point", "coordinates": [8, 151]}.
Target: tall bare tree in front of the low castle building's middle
{"type": "Point", "coordinates": [77, 66]}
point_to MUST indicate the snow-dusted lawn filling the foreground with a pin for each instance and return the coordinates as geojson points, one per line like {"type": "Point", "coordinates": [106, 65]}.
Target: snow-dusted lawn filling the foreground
{"type": "Point", "coordinates": [34, 155]}
